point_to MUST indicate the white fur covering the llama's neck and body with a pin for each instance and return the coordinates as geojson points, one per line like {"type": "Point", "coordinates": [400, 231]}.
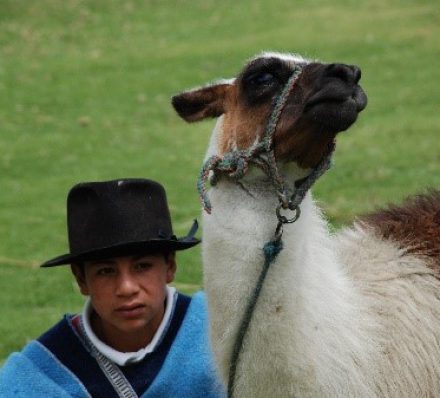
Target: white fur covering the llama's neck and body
{"type": "Point", "coordinates": [340, 315]}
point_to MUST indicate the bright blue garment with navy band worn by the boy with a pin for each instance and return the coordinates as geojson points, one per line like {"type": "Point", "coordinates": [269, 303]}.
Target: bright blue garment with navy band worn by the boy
{"type": "Point", "coordinates": [58, 365]}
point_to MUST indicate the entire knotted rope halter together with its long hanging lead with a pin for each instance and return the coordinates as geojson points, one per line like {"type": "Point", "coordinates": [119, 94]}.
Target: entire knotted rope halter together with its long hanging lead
{"type": "Point", "coordinates": [235, 164]}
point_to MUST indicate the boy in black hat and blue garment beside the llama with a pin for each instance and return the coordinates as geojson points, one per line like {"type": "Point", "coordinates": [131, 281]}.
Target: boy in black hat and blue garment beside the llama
{"type": "Point", "coordinates": [136, 337]}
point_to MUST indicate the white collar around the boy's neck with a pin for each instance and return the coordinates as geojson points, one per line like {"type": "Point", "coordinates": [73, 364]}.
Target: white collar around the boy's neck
{"type": "Point", "coordinates": [126, 358]}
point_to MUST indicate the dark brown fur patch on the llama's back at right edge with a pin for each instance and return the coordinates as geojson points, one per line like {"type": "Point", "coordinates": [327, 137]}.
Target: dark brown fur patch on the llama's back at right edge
{"type": "Point", "coordinates": [415, 226]}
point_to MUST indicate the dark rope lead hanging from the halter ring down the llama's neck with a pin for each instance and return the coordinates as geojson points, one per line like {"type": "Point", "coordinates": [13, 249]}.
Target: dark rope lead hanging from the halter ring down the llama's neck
{"type": "Point", "coordinates": [271, 250]}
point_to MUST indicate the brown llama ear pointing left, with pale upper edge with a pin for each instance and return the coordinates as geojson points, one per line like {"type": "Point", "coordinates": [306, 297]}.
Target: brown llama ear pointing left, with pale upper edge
{"type": "Point", "coordinates": [198, 104]}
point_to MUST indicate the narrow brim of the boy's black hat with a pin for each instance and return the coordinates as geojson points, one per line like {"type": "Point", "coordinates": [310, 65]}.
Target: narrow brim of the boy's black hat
{"type": "Point", "coordinates": [125, 249]}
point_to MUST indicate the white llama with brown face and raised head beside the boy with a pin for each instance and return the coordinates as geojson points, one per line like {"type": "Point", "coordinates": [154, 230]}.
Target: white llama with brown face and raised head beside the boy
{"type": "Point", "coordinates": [350, 314]}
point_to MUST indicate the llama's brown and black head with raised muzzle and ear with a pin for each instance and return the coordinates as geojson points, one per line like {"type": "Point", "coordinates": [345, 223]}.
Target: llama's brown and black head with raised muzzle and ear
{"type": "Point", "coordinates": [325, 100]}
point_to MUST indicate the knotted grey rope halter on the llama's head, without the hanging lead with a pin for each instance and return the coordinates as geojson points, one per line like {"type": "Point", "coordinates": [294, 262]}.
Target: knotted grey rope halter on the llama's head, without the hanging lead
{"type": "Point", "coordinates": [235, 163]}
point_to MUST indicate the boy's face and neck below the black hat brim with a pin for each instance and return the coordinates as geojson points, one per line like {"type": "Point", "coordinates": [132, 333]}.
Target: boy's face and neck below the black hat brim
{"type": "Point", "coordinates": [128, 295]}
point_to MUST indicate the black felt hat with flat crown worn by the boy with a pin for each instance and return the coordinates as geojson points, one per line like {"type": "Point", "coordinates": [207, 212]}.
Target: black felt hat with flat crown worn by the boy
{"type": "Point", "coordinates": [119, 217]}
